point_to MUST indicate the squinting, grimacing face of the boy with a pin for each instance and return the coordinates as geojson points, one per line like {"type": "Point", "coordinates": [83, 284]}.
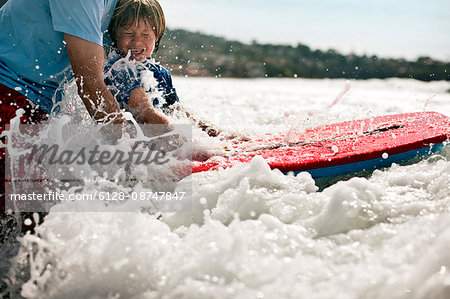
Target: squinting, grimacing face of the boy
{"type": "Point", "coordinates": [140, 40]}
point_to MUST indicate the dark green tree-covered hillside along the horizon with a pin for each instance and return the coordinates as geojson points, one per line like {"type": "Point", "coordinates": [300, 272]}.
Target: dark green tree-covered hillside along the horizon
{"type": "Point", "coordinates": [196, 54]}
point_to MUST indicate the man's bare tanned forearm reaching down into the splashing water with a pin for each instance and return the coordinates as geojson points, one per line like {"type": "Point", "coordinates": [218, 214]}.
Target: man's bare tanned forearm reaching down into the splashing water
{"type": "Point", "coordinates": [87, 60]}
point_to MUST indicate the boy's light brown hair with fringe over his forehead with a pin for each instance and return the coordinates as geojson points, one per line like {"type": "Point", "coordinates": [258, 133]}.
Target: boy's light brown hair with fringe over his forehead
{"type": "Point", "coordinates": [129, 12]}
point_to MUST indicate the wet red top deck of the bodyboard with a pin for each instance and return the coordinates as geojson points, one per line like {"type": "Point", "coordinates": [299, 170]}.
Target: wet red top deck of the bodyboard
{"type": "Point", "coordinates": [338, 144]}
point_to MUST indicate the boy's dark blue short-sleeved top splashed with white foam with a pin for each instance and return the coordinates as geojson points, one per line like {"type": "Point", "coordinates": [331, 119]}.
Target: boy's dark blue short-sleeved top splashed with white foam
{"type": "Point", "coordinates": [122, 75]}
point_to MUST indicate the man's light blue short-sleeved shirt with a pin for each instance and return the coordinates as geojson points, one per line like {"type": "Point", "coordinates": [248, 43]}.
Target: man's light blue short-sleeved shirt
{"type": "Point", "coordinates": [33, 56]}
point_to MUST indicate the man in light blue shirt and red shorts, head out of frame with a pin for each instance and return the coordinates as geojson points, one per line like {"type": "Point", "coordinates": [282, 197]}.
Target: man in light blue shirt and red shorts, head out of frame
{"type": "Point", "coordinates": [39, 40]}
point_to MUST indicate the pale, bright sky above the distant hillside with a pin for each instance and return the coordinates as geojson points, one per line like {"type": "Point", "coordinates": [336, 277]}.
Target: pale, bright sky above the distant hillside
{"type": "Point", "coordinates": [387, 28]}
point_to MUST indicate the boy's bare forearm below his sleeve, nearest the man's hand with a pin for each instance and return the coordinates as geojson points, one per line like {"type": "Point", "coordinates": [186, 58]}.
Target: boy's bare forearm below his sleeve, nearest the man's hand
{"type": "Point", "coordinates": [142, 109]}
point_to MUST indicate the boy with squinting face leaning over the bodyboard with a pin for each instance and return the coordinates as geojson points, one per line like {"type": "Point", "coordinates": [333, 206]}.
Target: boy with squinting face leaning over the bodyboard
{"type": "Point", "coordinates": [136, 29]}
